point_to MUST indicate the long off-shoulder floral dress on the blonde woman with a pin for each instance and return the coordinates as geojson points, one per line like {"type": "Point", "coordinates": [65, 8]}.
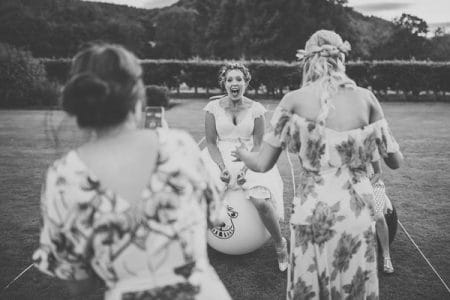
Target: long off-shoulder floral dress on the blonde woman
{"type": "Point", "coordinates": [332, 253]}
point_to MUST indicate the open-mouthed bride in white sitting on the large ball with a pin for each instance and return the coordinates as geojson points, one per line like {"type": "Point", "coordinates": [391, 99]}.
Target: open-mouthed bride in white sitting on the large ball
{"type": "Point", "coordinates": [234, 120]}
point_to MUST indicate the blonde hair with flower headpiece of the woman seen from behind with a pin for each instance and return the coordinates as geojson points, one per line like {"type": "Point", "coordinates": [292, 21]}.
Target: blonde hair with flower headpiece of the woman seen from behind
{"type": "Point", "coordinates": [324, 61]}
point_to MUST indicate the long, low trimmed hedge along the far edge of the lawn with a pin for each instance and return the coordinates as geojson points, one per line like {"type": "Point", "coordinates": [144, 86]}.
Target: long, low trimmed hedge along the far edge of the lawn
{"type": "Point", "coordinates": [408, 77]}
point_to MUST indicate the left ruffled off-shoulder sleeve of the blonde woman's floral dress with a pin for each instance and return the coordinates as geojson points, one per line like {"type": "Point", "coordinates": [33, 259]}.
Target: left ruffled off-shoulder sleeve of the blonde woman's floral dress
{"type": "Point", "coordinates": [284, 131]}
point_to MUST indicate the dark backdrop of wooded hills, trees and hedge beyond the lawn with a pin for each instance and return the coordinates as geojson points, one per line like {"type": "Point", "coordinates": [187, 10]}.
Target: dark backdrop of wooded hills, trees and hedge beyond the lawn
{"type": "Point", "coordinates": [210, 30]}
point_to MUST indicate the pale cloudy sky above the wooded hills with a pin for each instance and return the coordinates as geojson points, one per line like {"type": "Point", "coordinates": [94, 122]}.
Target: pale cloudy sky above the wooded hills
{"type": "Point", "coordinates": [434, 12]}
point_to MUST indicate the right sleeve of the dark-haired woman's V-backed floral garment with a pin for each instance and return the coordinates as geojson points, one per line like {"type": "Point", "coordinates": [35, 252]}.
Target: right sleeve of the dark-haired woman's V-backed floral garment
{"type": "Point", "coordinates": [185, 157]}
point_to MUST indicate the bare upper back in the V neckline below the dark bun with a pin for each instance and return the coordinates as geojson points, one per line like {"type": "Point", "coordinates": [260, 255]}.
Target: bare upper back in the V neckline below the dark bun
{"type": "Point", "coordinates": [123, 164]}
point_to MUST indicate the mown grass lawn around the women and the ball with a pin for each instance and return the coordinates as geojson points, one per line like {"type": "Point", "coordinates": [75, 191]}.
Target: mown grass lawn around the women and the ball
{"type": "Point", "coordinates": [420, 191]}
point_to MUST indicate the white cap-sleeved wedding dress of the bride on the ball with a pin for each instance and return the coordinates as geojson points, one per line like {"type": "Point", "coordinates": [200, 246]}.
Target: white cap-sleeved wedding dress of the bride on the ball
{"type": "Point", "coordinates": [228, 136]}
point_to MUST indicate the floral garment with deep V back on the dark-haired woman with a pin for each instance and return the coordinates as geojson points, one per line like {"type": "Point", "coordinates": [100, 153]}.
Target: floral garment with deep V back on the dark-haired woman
{"type": "Point", "coordinates": [154, 251]}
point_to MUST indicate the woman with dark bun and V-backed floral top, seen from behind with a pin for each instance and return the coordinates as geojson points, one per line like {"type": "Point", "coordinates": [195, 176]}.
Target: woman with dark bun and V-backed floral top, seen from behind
{"type": "Point", "coordinates": [130, 207]}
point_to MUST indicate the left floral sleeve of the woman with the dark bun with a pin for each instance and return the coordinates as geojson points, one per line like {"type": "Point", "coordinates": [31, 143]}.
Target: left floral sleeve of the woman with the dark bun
{"type": "Point", "coordinates": [62, 252]}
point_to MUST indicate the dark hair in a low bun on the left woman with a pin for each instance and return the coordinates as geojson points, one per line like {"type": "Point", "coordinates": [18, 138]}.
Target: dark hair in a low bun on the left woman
{"type": "Point", "coordinates": [104, 86]}
